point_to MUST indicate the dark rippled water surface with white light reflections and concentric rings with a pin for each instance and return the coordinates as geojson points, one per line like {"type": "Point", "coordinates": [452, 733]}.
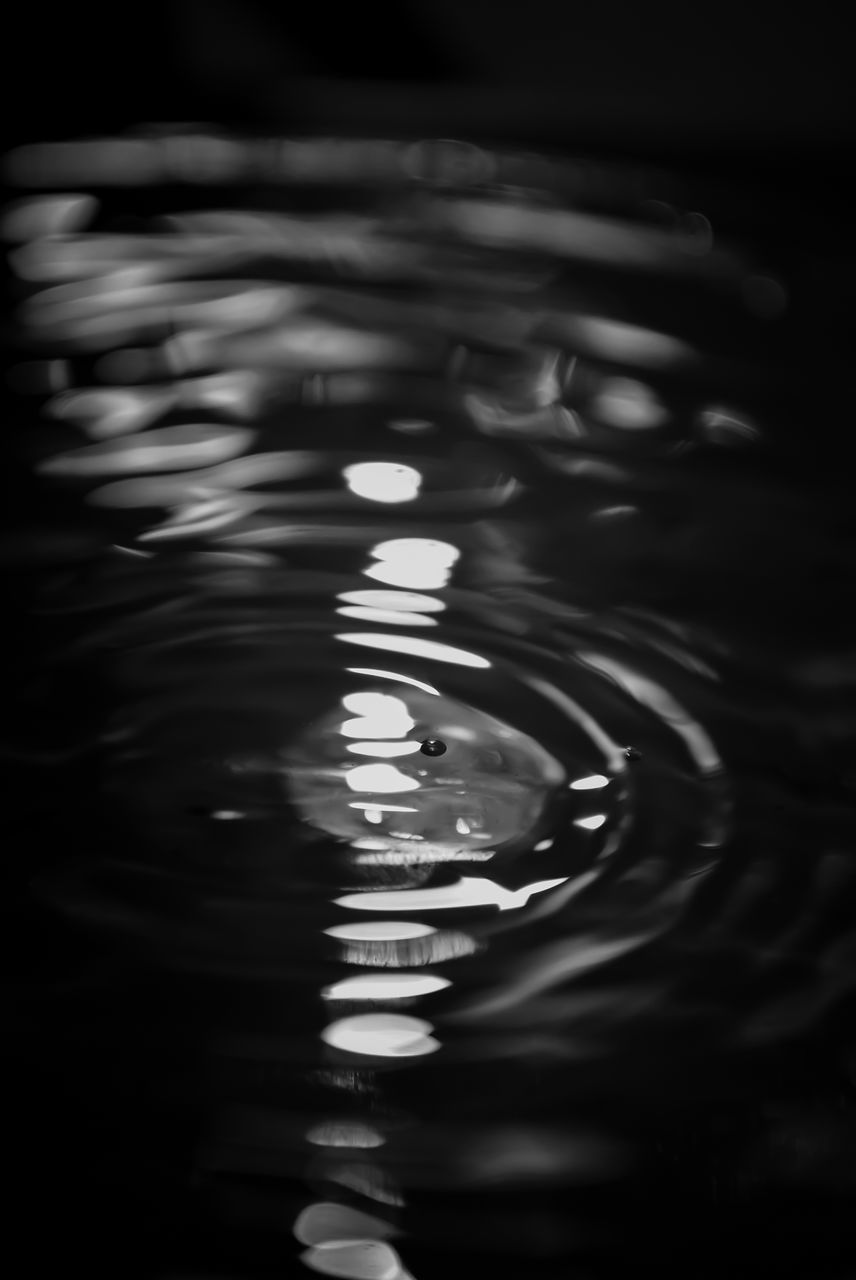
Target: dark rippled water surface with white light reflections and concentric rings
{"type": "Point", "coordinates": [323, 451]}
